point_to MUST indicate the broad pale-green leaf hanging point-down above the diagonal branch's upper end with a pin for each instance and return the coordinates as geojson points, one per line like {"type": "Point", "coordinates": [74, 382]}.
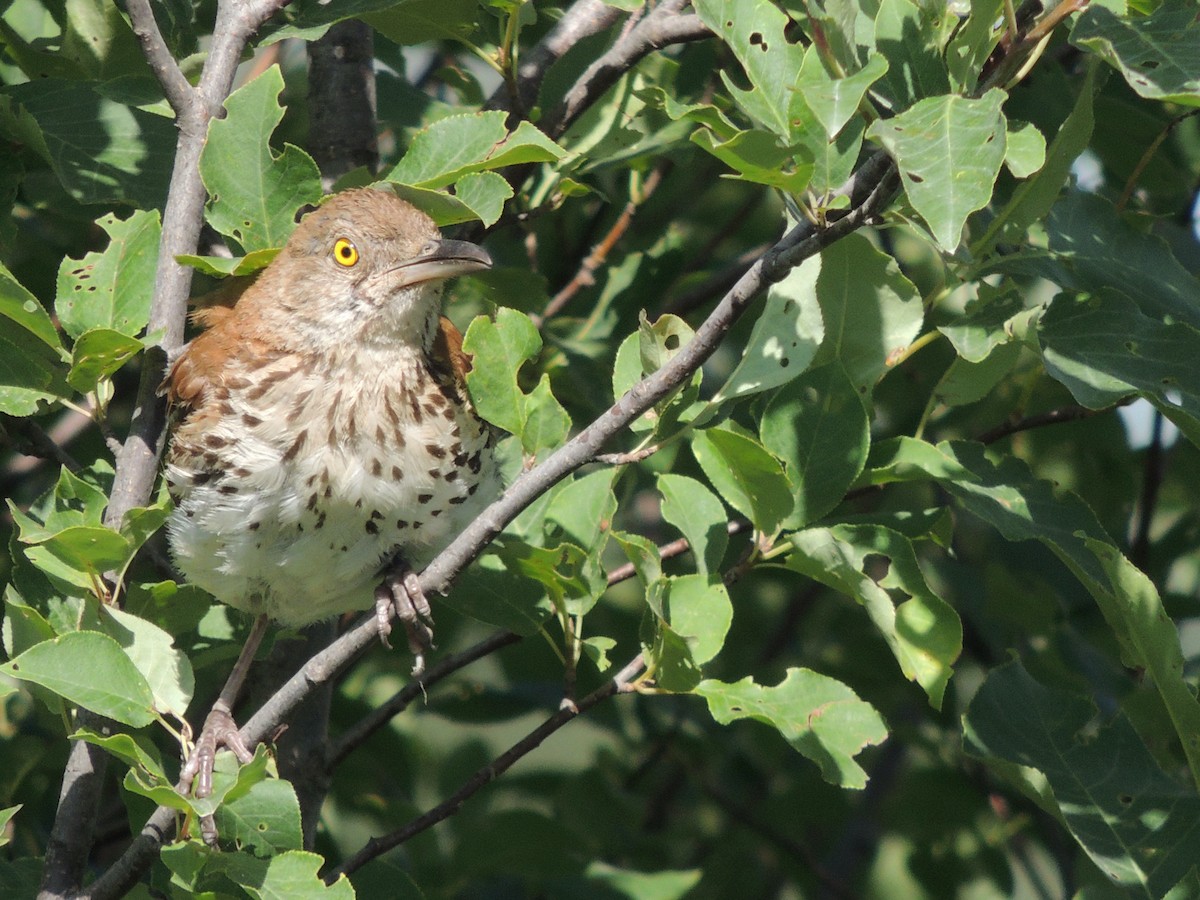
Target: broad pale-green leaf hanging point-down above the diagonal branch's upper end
{"type": "Point", "coordinates": [950, 151]}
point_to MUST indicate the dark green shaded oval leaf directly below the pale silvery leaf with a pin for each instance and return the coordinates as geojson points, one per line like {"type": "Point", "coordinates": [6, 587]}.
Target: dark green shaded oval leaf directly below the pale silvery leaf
{"type": "Point", "coordinates": [819, 428]}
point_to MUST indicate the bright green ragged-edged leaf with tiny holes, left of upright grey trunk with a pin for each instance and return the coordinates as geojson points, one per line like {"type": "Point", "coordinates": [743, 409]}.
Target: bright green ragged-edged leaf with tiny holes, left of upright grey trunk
{"type": "Point", "coordinates": [112, 290]}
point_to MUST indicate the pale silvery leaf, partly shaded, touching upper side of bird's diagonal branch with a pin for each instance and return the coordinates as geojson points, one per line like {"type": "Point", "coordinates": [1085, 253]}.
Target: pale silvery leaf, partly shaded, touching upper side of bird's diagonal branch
{"type": "Point", "coordinates": [785, 337]}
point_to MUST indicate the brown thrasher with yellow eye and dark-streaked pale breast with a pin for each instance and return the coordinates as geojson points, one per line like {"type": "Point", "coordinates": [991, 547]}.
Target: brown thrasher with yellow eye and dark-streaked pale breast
{"type": "Point", "coordinates": [326, 441]}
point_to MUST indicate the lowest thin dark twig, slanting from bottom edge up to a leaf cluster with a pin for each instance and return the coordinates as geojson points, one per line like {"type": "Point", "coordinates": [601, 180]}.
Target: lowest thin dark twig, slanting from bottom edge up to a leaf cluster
{"type": "Point", "coordinates": [502, 764]}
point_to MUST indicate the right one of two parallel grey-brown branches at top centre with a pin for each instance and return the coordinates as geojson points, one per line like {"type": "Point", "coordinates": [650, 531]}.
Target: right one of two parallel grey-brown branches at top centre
{"type": "Point", "coordinates": [664, 27]}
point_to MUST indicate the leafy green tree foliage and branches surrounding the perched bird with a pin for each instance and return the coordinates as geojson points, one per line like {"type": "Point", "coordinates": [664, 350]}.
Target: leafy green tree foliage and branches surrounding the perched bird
{"type": "Point", "coordinates": [842, 351]}
